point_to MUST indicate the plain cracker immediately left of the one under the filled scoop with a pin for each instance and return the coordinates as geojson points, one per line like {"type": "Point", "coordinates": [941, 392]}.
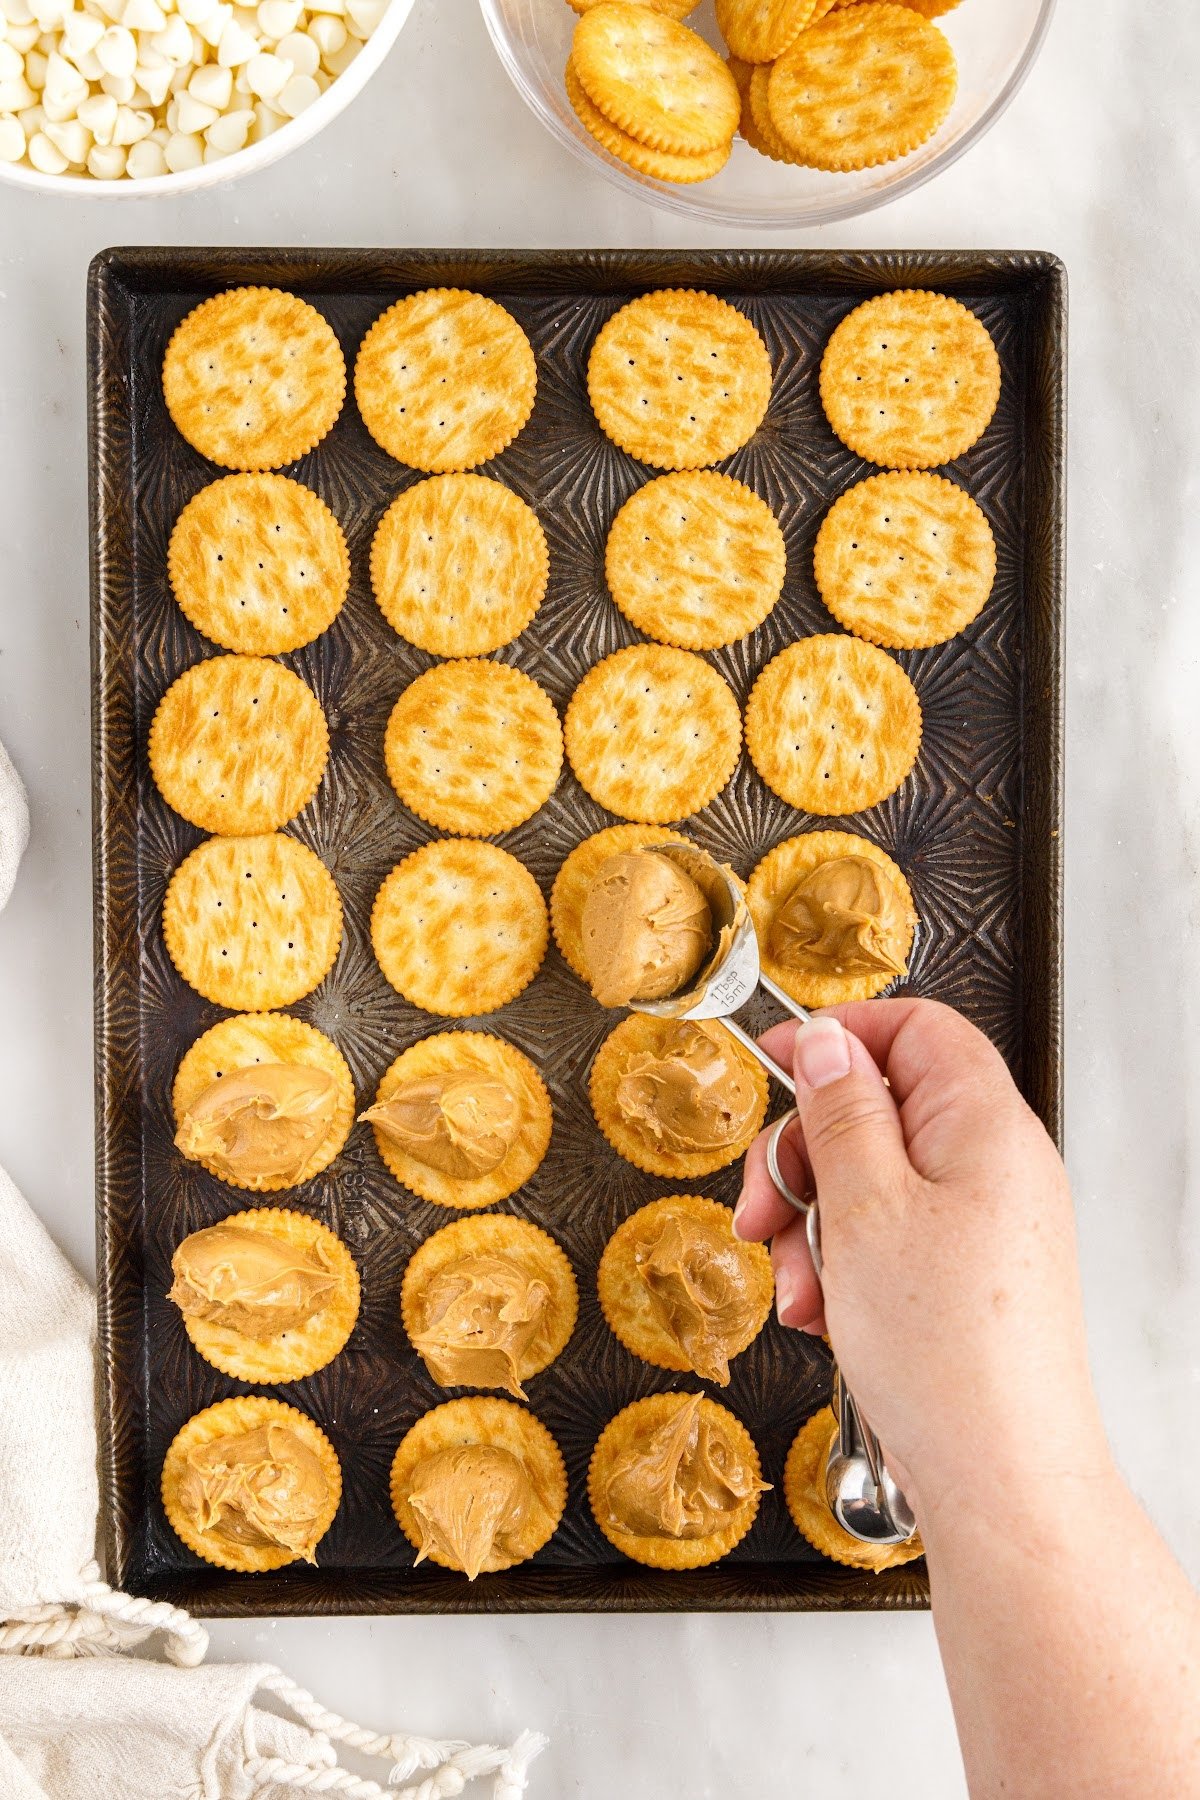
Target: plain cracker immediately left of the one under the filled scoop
{"type": "Point", "coordinates": [460, 928]}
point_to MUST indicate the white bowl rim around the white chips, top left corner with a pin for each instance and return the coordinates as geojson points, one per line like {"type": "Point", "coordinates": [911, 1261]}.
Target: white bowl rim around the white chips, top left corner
{"type": "Point", "coordinates": [291, 136]}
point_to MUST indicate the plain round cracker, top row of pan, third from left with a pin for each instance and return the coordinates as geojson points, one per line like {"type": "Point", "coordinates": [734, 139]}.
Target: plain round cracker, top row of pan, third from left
{"type": "Point", "coordinates": [679, 379]}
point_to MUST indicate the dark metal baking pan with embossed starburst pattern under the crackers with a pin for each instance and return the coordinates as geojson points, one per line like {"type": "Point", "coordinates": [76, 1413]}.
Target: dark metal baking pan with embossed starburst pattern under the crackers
{"type": "Point", "coordinates": [976, 829]}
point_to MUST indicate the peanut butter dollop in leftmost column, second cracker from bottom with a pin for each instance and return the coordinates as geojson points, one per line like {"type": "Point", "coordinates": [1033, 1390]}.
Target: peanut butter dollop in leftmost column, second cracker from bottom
{"type": "Point", "coordinates": [253, 1282]}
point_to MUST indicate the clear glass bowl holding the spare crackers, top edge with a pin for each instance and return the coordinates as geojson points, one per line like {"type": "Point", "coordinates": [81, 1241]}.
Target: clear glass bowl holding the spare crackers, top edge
{"type": "Point", "coordinates": [996, 44]}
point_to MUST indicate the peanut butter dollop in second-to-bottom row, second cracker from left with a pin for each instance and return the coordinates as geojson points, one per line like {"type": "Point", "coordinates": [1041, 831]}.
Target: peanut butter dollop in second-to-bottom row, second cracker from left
{"type": "Point", "coordinates": [479, 1320]}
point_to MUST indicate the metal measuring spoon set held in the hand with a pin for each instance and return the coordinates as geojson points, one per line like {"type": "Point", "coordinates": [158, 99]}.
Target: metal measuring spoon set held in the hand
{"type": "Point", "coordinates": [861, 1491]}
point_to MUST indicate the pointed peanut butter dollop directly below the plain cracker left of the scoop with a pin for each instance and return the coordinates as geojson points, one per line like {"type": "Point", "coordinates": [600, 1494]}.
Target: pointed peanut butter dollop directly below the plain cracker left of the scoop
{"type": "Point", "coordinates": [460, 1124]}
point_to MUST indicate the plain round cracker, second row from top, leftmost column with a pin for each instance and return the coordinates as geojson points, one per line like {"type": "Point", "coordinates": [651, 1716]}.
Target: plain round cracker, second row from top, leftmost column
{"type": "Point", "coordinates": [258, 564]}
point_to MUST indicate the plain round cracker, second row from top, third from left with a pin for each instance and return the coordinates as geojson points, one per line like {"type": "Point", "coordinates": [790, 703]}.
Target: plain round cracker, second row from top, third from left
{"type": "Point", "coordinates": [695, 561]}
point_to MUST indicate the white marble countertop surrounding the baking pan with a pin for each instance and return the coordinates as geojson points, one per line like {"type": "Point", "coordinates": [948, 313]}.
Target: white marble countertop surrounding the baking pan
{"type": "Point", "coordinates": [1100, 161]}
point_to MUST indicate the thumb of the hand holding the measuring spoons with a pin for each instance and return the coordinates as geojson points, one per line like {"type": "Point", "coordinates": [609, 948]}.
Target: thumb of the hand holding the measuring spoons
{"type": "Point", "coordinates": [852, 1129]}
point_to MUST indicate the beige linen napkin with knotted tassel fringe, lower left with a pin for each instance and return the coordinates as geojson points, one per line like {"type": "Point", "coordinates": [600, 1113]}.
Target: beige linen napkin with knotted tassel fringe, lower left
{"type": "Point", "coordinates": [76, 1720]}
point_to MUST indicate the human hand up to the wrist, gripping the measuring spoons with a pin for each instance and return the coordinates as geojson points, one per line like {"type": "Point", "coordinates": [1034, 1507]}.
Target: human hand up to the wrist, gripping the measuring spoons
{"type": "Point", "coordinates": [951, 1279]}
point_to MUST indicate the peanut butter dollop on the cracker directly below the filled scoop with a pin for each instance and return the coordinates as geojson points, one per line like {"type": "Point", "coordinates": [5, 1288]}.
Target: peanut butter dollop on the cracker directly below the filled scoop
{"type": "Point", "coordinates": [690, 1095]}
